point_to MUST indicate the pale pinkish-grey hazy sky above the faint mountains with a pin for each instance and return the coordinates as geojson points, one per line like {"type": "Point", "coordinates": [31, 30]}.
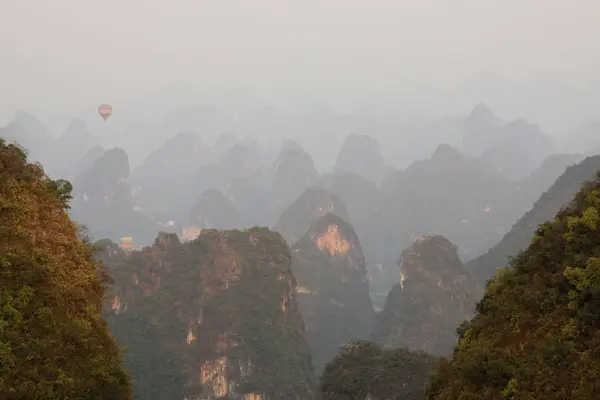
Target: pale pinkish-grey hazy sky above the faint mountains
{"type": "Point", "coordinates": [58, 57]}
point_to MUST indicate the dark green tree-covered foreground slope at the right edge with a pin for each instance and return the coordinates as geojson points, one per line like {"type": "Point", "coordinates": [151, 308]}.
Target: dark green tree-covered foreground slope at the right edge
{"type": "Point", "coordinates": [536, 333]}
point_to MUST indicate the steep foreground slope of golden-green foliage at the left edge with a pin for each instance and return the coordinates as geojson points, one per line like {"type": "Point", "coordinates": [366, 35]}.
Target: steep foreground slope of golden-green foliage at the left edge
{"type": "Point", "coordinates": [54, 343]}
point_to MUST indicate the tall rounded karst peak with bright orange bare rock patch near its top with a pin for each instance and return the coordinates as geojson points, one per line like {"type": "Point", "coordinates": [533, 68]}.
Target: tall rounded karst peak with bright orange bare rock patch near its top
{"type": "Point", "coordinates": [333, 292]}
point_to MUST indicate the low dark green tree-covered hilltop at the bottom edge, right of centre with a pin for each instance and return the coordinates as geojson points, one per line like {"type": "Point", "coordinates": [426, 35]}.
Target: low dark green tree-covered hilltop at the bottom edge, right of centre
{"type": "Point", "coordinates": [362, 370]}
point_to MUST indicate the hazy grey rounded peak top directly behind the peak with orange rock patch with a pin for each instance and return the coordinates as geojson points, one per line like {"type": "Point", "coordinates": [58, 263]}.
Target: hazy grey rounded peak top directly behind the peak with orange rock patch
{"type": "Point", "coordinates": [306, 210]}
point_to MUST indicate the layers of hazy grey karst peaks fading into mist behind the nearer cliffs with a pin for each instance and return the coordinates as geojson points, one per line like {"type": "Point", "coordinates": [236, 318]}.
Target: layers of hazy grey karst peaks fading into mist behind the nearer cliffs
{"type": "Point", "coordinates": [467, 178]}
